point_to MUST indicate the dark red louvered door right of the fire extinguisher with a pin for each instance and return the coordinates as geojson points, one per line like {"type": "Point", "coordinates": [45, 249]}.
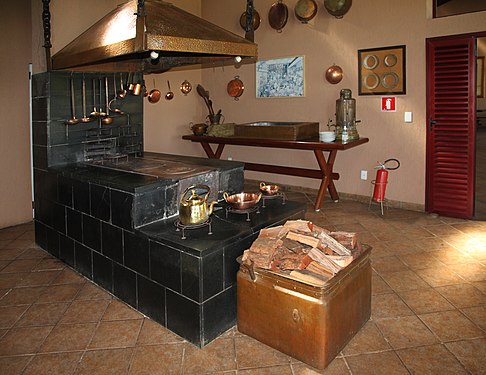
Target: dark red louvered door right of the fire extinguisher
{"type": "Point", "coordinates": [451, 132]}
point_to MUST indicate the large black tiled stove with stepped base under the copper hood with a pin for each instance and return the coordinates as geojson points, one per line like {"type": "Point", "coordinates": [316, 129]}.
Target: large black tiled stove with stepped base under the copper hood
{"type": "Point", "coordinates": [115, 224]}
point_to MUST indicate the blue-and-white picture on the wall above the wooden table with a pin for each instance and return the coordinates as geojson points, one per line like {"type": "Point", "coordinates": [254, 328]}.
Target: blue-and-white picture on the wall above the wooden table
{"type": "Point", "coordinates": [280, 78]}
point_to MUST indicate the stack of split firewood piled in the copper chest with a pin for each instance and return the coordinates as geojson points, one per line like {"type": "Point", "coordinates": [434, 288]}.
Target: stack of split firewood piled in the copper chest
{"type": "Point", "coordinates": [302, 251]}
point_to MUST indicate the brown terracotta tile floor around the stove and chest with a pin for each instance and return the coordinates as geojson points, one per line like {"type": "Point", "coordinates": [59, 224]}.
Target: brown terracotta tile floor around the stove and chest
{"type": "Point", "coordinates": [428, 309]}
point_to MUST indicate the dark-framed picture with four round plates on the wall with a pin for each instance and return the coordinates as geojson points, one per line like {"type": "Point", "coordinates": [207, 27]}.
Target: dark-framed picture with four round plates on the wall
{"type": "Point", "coordinates": [381, 71]}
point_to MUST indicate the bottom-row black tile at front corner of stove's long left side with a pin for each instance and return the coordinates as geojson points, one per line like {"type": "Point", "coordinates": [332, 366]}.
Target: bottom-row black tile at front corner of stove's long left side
{"type": "Point", "coordinates": [183, 317]}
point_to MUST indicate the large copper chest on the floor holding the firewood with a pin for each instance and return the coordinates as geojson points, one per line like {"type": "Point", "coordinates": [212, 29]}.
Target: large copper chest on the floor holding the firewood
{"type": "Point", "coordinates": [311, 324]}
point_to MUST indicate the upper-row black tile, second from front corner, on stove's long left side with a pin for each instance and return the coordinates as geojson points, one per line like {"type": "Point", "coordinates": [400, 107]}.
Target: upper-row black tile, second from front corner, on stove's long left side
{"type": "Point", "coordinates": [165, 265]}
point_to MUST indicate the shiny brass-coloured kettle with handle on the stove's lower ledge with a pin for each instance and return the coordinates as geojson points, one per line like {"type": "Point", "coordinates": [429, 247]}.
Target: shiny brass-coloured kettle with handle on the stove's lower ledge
{"type": "Point", "coordinates": [194, 208]}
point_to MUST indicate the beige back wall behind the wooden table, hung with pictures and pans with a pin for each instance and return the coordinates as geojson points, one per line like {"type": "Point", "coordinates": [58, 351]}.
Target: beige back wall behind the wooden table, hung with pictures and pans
{"type": "Point", "coordinates": [324, 41]}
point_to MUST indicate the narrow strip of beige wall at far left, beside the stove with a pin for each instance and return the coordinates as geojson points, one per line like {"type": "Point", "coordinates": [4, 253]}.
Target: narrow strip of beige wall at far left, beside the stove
{"type": "Point", "coordinates": [15, 187]}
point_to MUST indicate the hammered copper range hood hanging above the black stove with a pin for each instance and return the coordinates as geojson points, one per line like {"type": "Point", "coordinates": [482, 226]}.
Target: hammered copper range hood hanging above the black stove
{"type": "Point", "coordinates": [150, 36]}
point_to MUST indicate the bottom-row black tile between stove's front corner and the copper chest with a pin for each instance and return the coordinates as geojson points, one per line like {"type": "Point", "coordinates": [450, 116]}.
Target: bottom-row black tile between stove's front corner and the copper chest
{"type": "Point", "coordinates": [219, 314]}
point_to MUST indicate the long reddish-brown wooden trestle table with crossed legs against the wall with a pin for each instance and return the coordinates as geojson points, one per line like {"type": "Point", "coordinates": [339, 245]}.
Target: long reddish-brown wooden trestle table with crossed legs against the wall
{"type": "Point", "coordinates": [325, 172]}
